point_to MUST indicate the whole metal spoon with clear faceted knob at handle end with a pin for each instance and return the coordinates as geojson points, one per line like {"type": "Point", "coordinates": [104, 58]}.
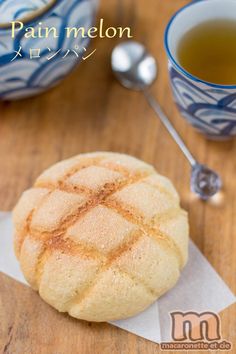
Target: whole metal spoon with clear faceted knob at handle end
{"type": "Point", "coordinates": [136, 69]}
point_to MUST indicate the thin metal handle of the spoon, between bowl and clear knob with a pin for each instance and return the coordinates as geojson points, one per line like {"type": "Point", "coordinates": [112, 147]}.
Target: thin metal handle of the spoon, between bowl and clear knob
{"type": "Point", "coordinates": [165, 120]}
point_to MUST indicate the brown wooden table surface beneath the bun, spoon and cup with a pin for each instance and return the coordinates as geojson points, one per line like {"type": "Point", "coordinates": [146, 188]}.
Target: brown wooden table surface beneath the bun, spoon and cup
{"type": "Point", "coordinates": [89, 112]}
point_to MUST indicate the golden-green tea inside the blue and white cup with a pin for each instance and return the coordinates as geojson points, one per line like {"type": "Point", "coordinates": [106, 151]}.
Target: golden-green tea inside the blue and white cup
{"type": "Point", "coordinates": [208, 51]}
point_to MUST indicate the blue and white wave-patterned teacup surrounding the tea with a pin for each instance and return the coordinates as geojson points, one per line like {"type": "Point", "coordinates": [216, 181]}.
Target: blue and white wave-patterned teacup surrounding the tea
{"type": "Point", "coordinates": [209, 107]}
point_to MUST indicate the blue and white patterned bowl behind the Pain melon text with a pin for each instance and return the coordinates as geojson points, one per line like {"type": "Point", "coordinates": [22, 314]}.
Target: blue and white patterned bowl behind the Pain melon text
{"type": "Point", "coordinates": [25, 76]}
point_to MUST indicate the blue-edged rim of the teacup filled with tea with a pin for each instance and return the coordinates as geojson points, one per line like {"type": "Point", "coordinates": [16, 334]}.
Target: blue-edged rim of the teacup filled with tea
{"type": "Point", "coordinates": [174, 61]}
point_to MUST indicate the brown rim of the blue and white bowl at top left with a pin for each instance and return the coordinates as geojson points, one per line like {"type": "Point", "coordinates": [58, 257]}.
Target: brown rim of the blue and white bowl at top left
{"type": "Point", "coordinates": [34, 16]}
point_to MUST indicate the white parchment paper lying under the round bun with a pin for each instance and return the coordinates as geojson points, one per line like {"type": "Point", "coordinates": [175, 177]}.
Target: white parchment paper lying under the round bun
{"type": "Point", "coordinates": [199, 289]}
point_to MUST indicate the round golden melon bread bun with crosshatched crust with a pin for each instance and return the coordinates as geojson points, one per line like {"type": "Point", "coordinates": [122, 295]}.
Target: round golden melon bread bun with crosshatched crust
{"type": "Point", "coordinates": [101, 236]}
